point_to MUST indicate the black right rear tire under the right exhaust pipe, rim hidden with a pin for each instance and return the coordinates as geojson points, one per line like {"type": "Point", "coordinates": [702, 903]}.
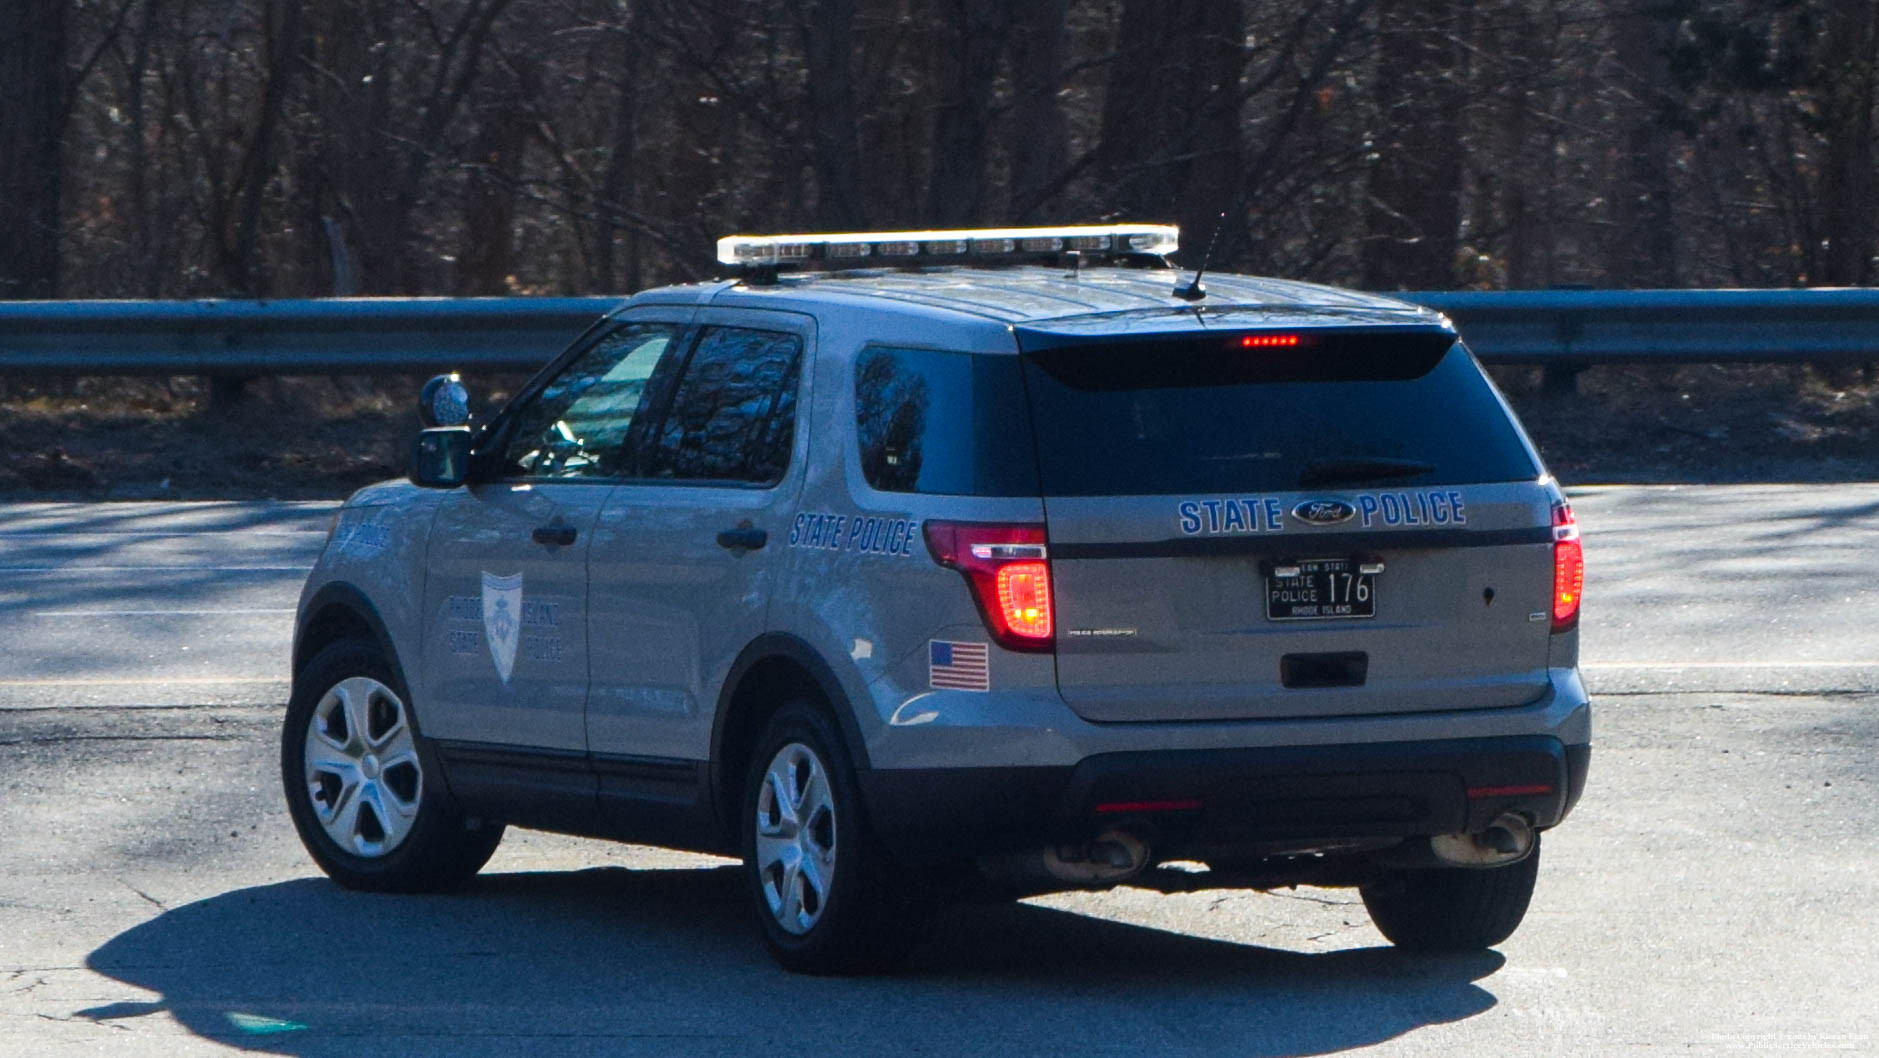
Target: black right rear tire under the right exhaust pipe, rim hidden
{"type": "Point", "coordinates": [1453, 909]}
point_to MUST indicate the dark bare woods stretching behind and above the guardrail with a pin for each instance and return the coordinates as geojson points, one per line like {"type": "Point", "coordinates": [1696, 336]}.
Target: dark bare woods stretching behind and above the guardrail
{"type": "Point", "coordinates": [484, 148]}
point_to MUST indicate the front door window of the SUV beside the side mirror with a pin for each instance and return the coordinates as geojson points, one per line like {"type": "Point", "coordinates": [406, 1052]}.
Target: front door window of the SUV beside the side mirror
{"type": "Point", "coordinates": [582, 424]}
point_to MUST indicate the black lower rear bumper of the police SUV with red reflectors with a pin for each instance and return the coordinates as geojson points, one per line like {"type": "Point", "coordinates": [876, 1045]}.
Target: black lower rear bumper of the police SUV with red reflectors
{"type": "Point", "coordinates": [1230, 800]}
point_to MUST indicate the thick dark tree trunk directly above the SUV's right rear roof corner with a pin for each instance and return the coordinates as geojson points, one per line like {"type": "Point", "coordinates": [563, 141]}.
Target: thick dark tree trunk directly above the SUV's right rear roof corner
{"type": "Point", "coordinates": [1416, 181]}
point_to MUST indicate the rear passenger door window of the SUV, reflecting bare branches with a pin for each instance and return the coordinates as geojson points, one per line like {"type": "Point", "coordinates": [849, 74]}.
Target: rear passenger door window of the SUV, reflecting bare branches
{"type": "Point", "coordinates": [734, 412]}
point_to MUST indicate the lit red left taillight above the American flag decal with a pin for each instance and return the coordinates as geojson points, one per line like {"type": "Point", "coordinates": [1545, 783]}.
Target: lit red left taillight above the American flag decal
{"type": "Point", "coordinates": [1010, 576]}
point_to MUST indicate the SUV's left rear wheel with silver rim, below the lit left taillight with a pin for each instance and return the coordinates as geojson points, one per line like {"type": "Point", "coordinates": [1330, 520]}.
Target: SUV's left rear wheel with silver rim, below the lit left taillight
{"type": "Point", "coordinates": [826, 899]}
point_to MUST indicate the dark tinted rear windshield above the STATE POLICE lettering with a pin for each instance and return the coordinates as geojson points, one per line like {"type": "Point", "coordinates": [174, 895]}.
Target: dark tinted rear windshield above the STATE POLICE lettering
{"type": "Point", "coordinates": [1232, 414]}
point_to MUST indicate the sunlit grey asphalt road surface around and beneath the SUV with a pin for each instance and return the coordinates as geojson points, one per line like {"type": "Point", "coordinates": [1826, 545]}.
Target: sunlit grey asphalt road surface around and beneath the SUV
{"type": "Point", "coordinates": [1715, 892]}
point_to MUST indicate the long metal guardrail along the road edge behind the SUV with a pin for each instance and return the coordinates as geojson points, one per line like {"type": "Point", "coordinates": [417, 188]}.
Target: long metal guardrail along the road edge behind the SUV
{"type": "Point", "coordinates": [1562, 330]}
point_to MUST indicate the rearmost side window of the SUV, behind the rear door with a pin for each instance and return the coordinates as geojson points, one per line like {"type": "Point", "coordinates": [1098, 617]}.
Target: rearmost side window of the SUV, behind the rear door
{"type": "Point", "coordinates": [937, 422]}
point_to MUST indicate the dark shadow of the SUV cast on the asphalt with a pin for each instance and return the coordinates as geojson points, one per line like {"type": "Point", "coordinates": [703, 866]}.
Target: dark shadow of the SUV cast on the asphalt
{"type": "Point", "coordinates": [664, 961]}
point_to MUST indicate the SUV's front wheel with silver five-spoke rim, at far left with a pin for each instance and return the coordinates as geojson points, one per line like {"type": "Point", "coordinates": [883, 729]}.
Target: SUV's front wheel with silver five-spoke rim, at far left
{"type": "Point", "coordinates": [362, 781]}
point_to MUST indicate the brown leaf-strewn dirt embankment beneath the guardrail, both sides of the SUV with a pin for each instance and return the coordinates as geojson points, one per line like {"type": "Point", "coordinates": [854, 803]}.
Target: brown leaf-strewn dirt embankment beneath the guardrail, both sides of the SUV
{"type": "Point", "coordinates": [305, 439]}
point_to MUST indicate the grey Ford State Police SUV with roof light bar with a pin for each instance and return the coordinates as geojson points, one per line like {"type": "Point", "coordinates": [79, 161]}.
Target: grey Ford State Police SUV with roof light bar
{"type": "Point", "coordinates": [920, 567]}
